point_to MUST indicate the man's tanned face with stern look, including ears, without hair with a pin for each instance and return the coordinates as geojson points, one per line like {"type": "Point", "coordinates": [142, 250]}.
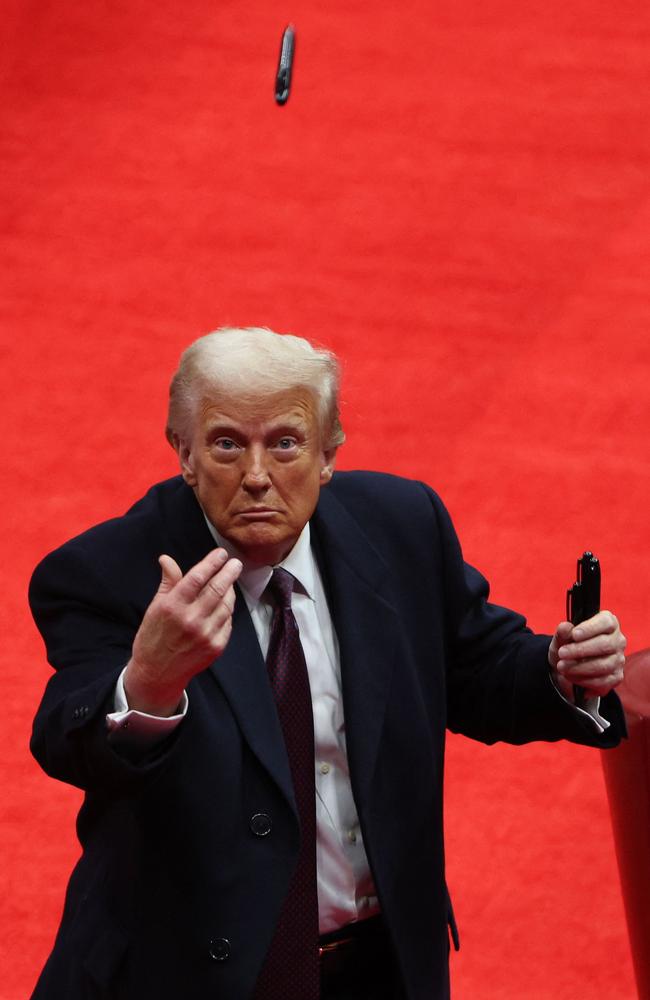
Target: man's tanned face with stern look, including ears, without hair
{"type": "Point", "coordinates": [256, 467]}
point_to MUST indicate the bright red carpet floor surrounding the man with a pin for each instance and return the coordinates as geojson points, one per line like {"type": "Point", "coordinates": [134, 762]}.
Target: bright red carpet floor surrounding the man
{"type": "Point", "coordinates": [456, 199]}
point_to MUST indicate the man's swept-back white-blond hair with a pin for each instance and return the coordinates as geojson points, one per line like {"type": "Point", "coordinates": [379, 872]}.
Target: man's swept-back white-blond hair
{"type": "Point", "coordinates": [253, 362]}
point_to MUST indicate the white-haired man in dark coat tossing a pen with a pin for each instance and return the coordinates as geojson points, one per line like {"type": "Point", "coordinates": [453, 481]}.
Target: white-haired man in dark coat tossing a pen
{"type": "Point", "coordinates": [201, 873]}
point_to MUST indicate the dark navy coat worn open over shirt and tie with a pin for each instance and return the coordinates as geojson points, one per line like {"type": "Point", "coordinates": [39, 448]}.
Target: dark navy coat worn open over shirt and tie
{"type": "Point", "coordinates": [172, 872]}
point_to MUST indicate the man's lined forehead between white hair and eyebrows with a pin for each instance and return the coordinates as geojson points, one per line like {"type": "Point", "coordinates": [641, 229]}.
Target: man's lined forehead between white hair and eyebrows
{"type": "Point", "coordinates": [296, 405]}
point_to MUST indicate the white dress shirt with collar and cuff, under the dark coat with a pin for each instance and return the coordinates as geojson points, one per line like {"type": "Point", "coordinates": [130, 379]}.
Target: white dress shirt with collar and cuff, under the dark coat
{"type": "Point", "coordinates": [345, 888]}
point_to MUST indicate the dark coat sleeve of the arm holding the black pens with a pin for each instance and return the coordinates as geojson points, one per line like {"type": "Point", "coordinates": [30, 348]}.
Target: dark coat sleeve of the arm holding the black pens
{"type": "Point", "coordinates": [498, 678]}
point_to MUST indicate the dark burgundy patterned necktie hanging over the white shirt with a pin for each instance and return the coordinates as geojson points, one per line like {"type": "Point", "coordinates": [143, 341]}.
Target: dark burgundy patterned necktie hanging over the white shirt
{"type": "Point", "coordinates": [291, 970]}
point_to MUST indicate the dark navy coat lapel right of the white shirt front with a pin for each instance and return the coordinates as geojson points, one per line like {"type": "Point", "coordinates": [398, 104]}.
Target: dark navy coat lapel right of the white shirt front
{"type": "Point", "coordinates": [367, 627]}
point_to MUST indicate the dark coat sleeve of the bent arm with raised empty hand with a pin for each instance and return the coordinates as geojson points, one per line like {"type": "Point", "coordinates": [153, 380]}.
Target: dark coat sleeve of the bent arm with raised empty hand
{"type": "Point", "coordinates": [88, 630]}
